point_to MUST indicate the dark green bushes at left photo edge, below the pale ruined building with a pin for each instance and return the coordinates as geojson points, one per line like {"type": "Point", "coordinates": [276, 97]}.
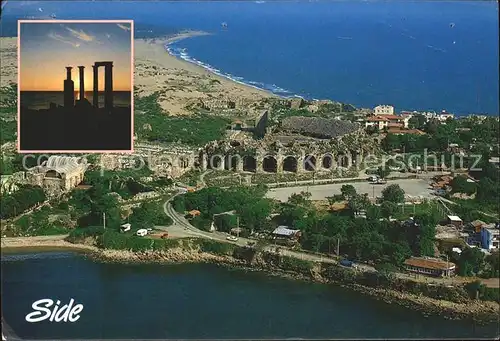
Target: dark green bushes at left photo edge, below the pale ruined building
{"type": "Point", "coordinates": [21, 200]}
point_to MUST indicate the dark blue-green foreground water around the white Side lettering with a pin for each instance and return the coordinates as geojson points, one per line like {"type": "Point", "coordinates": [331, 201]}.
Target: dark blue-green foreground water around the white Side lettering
{"type": "Point", "coordinates": [200, 301]}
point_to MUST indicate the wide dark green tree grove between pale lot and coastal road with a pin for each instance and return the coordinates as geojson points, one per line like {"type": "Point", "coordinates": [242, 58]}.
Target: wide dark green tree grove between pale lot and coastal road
{"type": "Point", "coordinates": [366, 239]}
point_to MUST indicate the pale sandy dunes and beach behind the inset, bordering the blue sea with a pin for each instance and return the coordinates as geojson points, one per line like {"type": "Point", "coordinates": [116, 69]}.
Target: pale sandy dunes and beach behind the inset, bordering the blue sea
{"type": "Point", "coordinates": [182, 85]}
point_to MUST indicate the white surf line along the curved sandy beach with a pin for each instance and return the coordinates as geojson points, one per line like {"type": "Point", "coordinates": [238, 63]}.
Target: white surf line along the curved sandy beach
{"type": "Point", "coordinates": [183, 54]}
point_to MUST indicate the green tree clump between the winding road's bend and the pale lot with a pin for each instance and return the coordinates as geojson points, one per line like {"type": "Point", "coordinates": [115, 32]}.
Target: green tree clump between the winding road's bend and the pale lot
{"type": "Point", "coordinates": [248, 202]}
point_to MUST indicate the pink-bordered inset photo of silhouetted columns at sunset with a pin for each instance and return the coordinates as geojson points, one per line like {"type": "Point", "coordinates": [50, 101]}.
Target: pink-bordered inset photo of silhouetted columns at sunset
{"type": "Point", "coordinates": [75, 86]}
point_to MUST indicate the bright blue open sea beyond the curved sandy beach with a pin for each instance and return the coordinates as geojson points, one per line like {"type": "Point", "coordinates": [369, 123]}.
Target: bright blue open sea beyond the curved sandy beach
{"type": "Point", "coordinates": [416, 55]}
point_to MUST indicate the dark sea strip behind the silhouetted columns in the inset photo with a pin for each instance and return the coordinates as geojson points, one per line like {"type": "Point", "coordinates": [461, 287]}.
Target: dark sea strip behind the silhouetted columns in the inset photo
{"type": "Point", "coordinates": [41, 99]}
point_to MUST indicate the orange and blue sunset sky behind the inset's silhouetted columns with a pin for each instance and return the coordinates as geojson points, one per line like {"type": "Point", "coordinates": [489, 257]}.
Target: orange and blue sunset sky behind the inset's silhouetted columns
{"type": "Point", "coordinates": [47, 48]}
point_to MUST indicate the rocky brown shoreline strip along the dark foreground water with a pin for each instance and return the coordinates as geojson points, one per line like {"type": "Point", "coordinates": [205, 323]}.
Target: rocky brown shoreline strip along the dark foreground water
{"type": "Point", "coordinates": [477, 311]}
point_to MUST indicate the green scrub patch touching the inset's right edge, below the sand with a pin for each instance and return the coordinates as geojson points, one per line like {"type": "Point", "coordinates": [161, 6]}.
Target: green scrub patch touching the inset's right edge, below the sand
{"type": "Point", "coordinates": [153, 124]}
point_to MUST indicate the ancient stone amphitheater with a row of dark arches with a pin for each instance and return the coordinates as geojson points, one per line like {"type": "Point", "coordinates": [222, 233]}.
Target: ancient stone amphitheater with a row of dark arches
{"type": "Point", "coordinates": [296, 145]}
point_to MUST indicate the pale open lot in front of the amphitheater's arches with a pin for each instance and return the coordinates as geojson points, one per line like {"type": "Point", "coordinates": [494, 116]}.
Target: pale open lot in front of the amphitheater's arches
{"type": "Point", "coordinates": [412, 187]}
